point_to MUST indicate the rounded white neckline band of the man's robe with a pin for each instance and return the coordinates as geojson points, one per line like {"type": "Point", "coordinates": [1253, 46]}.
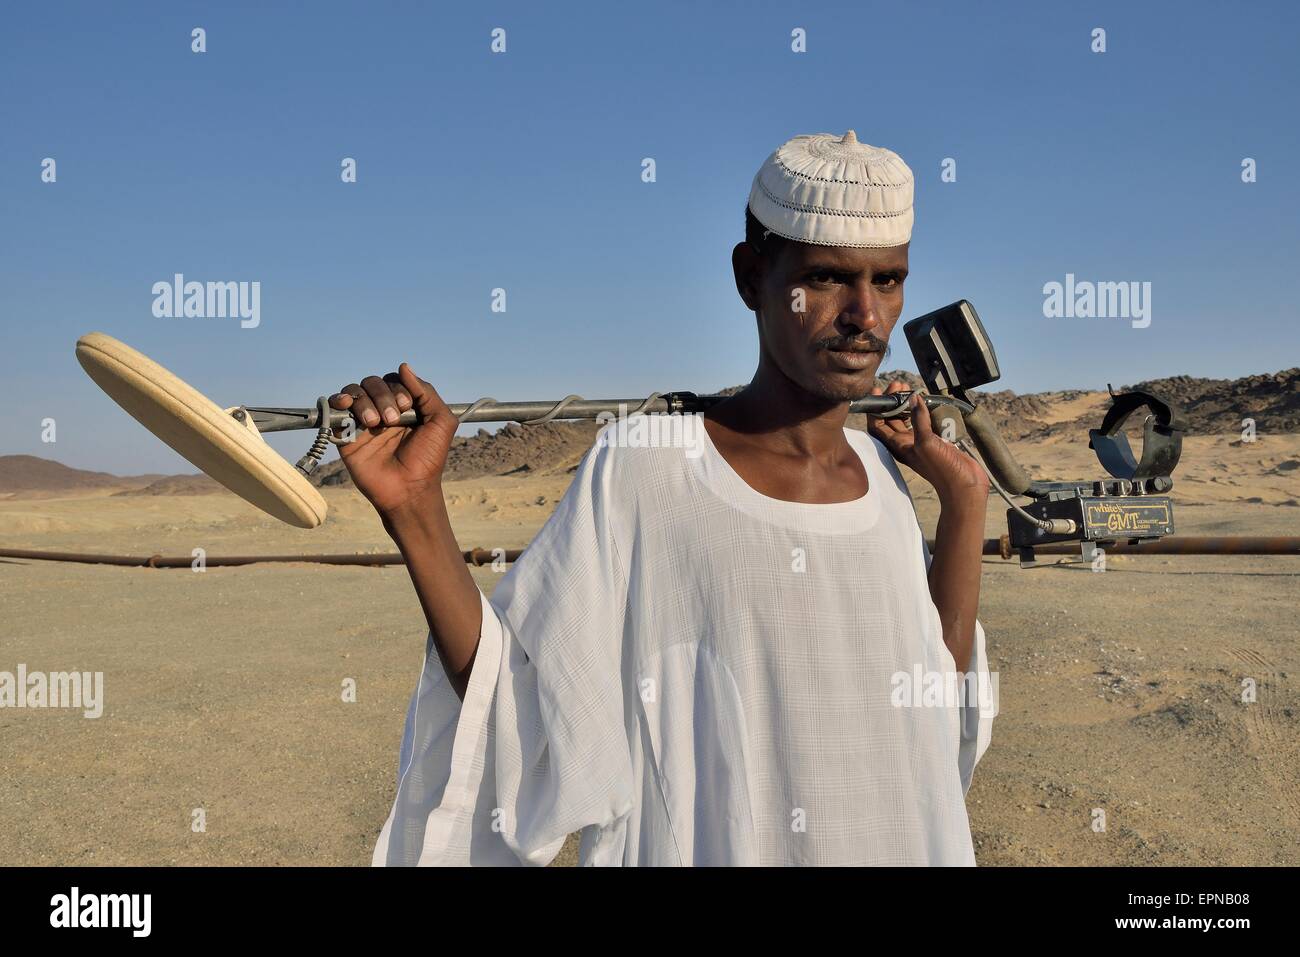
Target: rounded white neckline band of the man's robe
{"type": "Point", "coordinates": [835, 518]}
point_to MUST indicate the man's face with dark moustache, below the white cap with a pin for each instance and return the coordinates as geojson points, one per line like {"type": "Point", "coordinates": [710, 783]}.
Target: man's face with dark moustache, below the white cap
{"type": "Point", "coordinates": [825, 313]}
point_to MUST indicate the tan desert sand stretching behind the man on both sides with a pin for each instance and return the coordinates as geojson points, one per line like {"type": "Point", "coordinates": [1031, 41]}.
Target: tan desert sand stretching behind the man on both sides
{"type": "Point", "coordinates": [1120, 691]}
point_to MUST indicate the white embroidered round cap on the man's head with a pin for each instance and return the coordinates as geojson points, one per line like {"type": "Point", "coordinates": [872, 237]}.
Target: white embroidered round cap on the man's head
{"type": "Point", "coordinates": [835, 192]}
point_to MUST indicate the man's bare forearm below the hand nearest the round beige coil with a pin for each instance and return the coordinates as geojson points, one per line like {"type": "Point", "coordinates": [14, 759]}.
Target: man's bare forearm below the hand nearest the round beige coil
{"type": "Point", "coordinates": [448, 592]}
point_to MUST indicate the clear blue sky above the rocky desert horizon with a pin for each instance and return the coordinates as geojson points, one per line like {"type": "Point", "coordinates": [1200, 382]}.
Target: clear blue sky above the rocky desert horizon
{"type": "Point", "coordinates": [523, 171]}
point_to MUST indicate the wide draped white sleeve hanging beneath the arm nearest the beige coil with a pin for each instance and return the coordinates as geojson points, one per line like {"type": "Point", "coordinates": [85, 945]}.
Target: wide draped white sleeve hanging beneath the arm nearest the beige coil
{"type": "Point", "coordinates": [539, 747]}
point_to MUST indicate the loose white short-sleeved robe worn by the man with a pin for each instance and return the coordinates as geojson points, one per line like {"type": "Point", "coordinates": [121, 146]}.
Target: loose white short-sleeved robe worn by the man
{"type": "Point", "coordinates": [691, 673]}
